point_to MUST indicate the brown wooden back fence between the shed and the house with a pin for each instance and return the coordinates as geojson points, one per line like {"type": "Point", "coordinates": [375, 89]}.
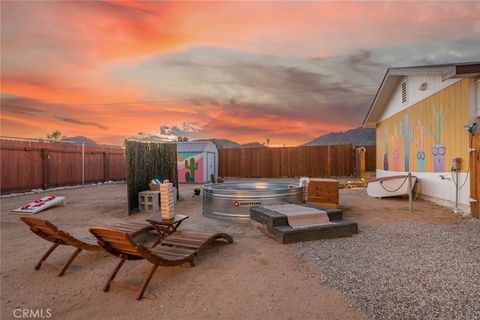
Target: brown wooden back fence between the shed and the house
{"type": "Point", "coordinates": [315, 161]}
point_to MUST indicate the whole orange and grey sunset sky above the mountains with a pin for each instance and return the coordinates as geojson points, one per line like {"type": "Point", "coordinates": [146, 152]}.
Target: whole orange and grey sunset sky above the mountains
{"type": "Point", "coordinates": [245, 71]}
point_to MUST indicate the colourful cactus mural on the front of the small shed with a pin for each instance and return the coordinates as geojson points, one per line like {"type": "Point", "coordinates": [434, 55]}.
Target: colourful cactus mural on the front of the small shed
{"type": "Point", "coordinates": [190, 167]}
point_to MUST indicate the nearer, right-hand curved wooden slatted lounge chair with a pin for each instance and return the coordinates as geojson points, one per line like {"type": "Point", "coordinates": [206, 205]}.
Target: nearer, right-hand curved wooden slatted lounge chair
{"type": "Point", "coordinates": [121, 245]}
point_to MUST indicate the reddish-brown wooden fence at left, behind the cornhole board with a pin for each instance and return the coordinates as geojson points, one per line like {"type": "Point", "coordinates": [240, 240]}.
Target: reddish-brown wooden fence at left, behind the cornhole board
{"type": "Point", "coordinates": [28, 165]}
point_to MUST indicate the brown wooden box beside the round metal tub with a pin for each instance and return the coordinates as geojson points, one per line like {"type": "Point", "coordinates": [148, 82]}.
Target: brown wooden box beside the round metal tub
{"type": "Point", "coordinates": [323, 192]}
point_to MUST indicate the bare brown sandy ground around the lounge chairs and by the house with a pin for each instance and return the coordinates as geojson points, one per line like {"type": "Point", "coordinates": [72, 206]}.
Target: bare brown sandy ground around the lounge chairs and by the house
{"type": "Point", "coordinates": [253, 278]}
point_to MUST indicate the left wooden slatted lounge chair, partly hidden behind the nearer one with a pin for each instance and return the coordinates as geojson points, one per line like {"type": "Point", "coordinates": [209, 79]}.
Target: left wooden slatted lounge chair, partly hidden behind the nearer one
{"type": "Point", "coordinates": [46, 230]}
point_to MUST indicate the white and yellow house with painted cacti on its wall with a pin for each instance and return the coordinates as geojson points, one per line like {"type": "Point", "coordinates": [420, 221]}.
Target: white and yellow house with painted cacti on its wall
{"type": "Point", "coordinates": [419, 114]}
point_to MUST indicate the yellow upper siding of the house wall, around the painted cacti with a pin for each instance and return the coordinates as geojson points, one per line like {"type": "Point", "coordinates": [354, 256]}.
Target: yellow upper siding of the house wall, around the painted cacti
{"type": "Point", "coordinates": [449, 104]}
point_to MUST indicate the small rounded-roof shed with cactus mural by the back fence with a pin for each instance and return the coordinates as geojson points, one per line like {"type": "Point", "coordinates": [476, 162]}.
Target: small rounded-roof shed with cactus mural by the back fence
{"type": "Point", "coordinates": [196, 161]}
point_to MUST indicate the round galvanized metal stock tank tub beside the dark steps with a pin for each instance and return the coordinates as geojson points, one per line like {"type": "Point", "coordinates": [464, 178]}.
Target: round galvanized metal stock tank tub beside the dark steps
{"type": "Point", "coordinates": [233, 200]}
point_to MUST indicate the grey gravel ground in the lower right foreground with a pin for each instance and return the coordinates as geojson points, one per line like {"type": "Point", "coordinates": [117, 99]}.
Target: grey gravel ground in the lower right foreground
{"type": "Point", "coordinates": [405, 270]}
